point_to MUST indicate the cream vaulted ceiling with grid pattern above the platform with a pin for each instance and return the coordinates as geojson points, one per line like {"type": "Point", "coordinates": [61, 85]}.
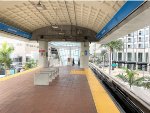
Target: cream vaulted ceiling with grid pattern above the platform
{"type": "Point", "coordinates": [32, 15]}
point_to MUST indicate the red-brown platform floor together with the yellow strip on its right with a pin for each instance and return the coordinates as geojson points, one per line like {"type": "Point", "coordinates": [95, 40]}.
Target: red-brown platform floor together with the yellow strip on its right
{"type": "Point", "coordinates": [74, 91]}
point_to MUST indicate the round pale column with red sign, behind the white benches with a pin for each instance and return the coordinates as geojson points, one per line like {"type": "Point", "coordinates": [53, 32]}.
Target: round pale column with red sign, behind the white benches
{"type": "Point", "coordinates": [43, 54]}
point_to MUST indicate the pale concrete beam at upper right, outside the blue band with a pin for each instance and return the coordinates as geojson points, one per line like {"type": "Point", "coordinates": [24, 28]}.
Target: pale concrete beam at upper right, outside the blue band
{"type": "Point", "coordinates": [135, 21]}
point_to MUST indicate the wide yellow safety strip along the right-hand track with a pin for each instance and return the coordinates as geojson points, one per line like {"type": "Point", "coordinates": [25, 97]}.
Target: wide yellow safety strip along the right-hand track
{"type": "Point", "coordinates": [103, 102]}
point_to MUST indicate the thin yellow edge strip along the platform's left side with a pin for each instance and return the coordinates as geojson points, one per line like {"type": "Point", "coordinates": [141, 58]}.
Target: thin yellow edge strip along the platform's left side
{"type": "Point", "coordinates": [18, 74]}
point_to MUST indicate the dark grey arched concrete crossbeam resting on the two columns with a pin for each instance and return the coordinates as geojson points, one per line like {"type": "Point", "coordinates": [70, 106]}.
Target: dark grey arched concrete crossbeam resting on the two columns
{"type": "Point", "coordinates": [65, 33]}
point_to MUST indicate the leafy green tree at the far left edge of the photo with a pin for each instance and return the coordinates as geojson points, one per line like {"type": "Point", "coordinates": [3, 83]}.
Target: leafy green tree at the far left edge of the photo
{"type": "Point", "coordinates": [5, 52]}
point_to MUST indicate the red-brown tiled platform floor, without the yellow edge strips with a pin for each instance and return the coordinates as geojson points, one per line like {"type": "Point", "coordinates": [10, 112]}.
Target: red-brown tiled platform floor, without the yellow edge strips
{"type": "Point", "coordinates": [67, 94]}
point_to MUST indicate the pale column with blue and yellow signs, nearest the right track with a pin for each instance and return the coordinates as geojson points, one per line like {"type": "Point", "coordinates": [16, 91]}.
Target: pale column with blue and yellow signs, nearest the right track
{"type": "Point", "coordinates": [84, 55]}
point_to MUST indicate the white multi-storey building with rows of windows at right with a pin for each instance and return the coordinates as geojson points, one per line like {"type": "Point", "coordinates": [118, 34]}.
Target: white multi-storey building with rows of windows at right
{"type": "Point", "coordinates": [136, 50]}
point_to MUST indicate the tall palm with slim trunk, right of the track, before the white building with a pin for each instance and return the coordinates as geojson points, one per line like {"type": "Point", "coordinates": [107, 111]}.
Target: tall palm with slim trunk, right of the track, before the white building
{"type": "Point", "coordinates": [113, 45]}
